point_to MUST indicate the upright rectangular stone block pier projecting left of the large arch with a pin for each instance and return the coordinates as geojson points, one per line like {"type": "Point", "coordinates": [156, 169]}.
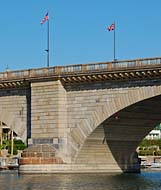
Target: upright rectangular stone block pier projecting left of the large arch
{"type": "Point", "coordinates": [49, 114]}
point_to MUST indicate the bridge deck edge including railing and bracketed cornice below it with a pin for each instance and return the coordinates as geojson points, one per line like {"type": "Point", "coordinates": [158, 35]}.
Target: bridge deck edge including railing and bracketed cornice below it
{"type": "Point", "coordinates": [103, 71]}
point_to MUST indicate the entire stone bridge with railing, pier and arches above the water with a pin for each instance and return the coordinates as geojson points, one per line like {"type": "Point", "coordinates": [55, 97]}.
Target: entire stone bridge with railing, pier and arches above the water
{"type": "Point", "coordinates": [94, 115]}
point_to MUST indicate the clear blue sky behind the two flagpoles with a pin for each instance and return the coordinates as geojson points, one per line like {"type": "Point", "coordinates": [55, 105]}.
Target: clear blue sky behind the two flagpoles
{"type": "Point", "coordinates": [78, 32]}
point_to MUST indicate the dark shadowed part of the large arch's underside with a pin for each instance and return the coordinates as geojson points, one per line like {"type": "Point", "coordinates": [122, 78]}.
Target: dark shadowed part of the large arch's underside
{"type": "Point", "coordinates": [125, 129]}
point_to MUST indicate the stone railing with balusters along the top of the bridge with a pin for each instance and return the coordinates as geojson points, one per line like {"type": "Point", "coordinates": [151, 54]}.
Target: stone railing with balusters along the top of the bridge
{"type": "Point", "coordinates": [82, 68]}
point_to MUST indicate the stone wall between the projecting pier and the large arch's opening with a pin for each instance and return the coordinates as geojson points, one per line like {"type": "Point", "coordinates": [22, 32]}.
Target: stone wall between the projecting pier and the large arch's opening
{"type": "Point", "coordinates": [90, 105]}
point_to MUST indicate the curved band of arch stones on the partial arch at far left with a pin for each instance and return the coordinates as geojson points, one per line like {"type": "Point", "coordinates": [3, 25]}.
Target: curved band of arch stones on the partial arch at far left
{"type": "Point", "coordinates": [10, 119]}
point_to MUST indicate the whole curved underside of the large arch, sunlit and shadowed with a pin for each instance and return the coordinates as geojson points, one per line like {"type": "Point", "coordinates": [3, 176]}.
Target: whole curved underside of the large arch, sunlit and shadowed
{"type": "Point", "coordinates": [113, 143]}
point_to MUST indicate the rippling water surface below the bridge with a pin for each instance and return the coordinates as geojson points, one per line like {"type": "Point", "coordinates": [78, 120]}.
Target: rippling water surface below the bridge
{"type": "Point", "coordinates": [10, 180]}
